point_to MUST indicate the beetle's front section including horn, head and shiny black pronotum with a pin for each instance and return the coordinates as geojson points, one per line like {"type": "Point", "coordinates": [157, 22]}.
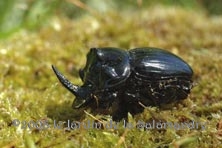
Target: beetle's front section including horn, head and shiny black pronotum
{"type": "Point", "coordinates": [106, 68]}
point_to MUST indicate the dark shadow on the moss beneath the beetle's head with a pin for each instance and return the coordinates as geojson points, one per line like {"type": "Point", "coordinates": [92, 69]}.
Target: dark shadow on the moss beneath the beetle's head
{"type": "Point", "coordinates": [64, 112]}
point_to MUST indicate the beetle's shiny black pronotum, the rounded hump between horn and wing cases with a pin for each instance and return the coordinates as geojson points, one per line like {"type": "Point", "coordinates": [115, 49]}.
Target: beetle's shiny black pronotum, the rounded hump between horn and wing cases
{"type": "Point", "coordinates": [105, 68]}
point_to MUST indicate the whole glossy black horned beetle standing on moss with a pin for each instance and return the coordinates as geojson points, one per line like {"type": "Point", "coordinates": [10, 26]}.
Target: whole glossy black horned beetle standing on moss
{"type": "Point", "coordinates": [120, 81]}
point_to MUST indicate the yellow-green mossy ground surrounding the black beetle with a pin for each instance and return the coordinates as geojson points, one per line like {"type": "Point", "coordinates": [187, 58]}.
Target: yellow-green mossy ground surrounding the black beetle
{"type": "Point", "coordinates": [29, 90]}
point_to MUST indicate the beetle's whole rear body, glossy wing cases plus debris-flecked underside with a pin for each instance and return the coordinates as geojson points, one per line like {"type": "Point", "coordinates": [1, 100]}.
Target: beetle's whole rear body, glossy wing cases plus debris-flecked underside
{"type": "Point", "coordinates": [158, 75]}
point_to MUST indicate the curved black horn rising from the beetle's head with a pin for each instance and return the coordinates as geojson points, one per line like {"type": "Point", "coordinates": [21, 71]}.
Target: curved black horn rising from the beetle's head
{"type": "Point", "coordinates": [65, 82]}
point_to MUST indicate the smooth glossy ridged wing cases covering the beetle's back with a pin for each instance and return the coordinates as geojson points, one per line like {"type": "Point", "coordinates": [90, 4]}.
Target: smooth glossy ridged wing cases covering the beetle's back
{"type": "Point", "coordinates": [154, 63]}
